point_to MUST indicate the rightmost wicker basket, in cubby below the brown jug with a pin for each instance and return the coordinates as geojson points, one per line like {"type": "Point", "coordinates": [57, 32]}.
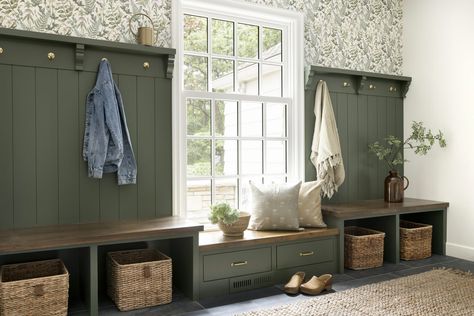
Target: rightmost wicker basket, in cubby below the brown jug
{"type": "Point", "coordinates": [415, 240]}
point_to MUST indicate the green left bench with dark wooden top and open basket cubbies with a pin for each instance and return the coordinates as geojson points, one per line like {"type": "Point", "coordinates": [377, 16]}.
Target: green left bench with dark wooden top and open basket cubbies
{"type": "Point", "coordinates": [83, 248]}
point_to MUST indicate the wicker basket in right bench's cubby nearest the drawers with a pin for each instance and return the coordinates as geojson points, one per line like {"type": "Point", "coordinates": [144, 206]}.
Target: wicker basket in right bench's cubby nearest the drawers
{"type": "Point", "coordinates": [363, 248]}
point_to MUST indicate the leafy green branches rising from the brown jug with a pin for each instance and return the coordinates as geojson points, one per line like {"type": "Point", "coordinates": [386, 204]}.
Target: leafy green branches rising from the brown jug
{"type": "Point", "coordinates": [421, 141]}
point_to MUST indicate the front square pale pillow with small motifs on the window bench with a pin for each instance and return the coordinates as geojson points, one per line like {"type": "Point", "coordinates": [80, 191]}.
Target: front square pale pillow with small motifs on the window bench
{"type": "Point", "coordinates": [274, 206]}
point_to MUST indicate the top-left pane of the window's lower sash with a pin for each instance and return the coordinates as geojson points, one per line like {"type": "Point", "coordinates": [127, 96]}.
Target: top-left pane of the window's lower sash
{"type": "Point", "coordinates": [199, 117]}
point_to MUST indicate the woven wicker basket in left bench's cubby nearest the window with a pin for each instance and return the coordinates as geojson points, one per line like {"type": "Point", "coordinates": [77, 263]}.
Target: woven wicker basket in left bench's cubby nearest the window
{"type": "Point", "coordinates": [138, 278]}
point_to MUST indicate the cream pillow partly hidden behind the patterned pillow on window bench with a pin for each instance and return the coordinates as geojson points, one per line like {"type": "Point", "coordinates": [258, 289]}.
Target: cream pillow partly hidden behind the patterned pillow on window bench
{"type": "Point", "coordinates": [309, 205]}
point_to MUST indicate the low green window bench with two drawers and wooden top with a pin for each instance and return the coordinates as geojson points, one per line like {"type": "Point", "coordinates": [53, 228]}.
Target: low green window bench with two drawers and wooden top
{"type": "Point", "coordinates": [262, 258]}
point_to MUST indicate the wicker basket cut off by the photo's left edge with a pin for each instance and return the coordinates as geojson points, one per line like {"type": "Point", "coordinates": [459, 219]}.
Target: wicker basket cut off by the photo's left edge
{"type": "Point", "coordinates": [34, 288]}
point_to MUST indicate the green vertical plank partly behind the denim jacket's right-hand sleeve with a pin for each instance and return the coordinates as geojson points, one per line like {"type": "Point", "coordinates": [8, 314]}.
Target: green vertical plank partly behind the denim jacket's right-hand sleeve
{"type": "Point", "coordinates": [128, 206]}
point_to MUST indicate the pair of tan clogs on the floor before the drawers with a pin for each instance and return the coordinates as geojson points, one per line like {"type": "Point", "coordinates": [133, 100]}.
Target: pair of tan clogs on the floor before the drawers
{"type": "Point", "coordinates": [314, 286]}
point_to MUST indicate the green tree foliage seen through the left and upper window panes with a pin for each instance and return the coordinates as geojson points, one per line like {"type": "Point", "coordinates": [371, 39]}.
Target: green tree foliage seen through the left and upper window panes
{"type": "Point", "coordinates": [196, 78]}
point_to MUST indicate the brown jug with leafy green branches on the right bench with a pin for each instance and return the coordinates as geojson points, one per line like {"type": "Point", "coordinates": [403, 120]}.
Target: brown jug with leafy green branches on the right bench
{"type": "Point", "coordinates": [420, 141]}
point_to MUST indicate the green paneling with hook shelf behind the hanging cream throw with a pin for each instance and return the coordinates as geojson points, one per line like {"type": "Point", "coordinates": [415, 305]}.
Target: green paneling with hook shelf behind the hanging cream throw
{"type": "Point", "coordinates": [368, 107]}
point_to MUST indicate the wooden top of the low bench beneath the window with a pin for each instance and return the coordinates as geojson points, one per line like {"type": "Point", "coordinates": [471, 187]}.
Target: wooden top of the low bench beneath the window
{"type": "Point", "coordinates": [214, 240]}
